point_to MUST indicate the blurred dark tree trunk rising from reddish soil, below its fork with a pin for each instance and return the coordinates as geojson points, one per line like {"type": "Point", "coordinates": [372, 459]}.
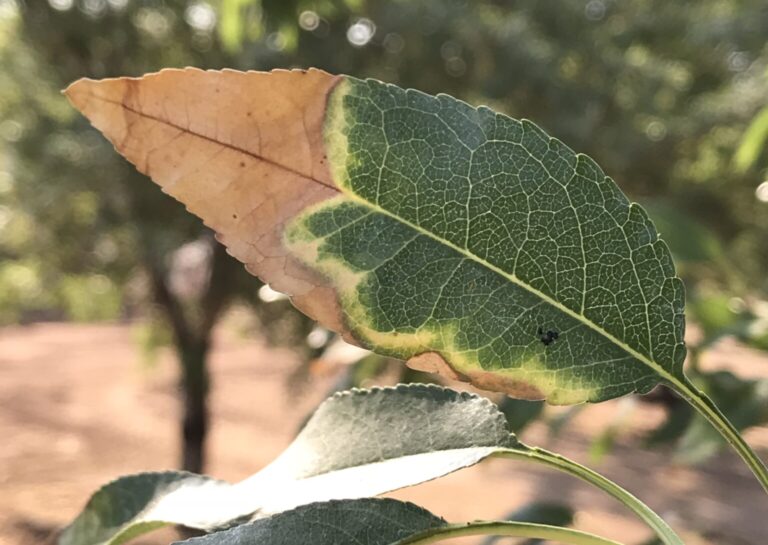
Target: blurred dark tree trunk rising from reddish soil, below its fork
{"type": "Point", "coordinates": [195, 420]}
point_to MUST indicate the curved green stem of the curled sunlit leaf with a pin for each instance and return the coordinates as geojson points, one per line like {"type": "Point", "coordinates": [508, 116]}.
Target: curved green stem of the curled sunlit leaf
{"type": "Point", "coordinates": [662, 529]}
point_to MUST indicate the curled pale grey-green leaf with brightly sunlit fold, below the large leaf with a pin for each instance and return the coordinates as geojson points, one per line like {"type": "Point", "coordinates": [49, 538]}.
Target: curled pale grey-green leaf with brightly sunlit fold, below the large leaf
{"type": "Point", "coordinates": [357, 444]}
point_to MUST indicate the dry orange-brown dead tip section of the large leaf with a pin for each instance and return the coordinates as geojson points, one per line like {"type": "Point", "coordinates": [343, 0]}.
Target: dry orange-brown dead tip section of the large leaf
{"type": "Point", "coordinates": [242, 150]}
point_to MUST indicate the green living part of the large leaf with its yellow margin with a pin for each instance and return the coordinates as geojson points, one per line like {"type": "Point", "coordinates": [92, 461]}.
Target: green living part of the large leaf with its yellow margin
{"type": "Point", "coordinates": [469, 236]}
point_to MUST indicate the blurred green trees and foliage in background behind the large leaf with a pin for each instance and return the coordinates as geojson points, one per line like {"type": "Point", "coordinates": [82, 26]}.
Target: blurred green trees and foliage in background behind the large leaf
{"type": "Point", "coordinates": [669, 97]}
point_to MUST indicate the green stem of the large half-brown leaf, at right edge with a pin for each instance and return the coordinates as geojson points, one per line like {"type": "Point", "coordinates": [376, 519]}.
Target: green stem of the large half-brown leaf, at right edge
{"type": "Point", "coordinates": [707, 408]}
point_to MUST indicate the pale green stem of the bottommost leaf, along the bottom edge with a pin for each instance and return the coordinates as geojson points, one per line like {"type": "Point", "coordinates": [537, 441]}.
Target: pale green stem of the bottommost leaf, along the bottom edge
{"type": "Point", "coordinates": [512, 529]}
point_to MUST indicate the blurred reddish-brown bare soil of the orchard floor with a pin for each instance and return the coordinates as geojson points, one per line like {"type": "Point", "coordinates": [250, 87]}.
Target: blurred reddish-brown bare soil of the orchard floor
{"type": "Point", "coordinates": [78, 408]}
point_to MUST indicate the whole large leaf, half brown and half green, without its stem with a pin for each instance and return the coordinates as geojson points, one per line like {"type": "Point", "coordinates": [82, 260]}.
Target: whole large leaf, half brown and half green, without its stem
{"type": "Point", "coordinates": [458, 239]}
